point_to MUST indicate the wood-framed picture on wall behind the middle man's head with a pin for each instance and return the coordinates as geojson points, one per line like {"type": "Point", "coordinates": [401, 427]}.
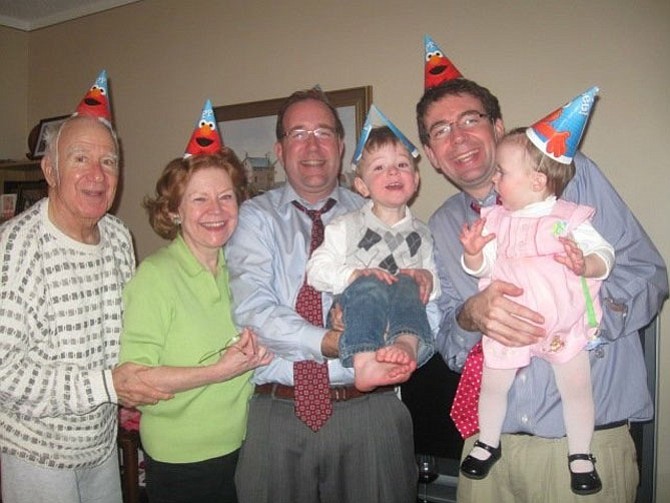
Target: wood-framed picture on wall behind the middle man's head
{"type": "Point", "coordinates": [249, 129]}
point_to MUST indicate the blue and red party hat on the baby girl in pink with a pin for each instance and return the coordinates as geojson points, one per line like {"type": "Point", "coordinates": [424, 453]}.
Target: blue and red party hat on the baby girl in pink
{"type": "Point", "coordinates": [559, 133]}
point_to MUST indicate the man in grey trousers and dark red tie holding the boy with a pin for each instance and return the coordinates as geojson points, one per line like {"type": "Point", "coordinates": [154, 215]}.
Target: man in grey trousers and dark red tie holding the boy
{"type": "Point", "coordinates": [349, 446]}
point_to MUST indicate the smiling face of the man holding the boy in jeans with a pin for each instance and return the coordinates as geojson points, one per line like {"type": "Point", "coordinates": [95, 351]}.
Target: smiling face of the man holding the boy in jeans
{"type": "Point", "coordinates": [312, 165]}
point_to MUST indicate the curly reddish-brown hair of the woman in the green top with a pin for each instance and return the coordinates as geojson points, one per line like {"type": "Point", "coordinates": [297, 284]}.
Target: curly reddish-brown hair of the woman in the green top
{"type": "Point", "coordinates": [172, 183]}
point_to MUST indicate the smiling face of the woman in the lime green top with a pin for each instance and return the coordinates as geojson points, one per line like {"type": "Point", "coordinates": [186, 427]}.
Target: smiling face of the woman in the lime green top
{"type": "Point", "coordinates": [208, 213]}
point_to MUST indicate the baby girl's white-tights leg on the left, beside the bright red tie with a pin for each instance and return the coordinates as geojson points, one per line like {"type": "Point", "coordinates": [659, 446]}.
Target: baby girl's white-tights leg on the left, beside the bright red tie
{"type": "Point", "coordinates": [492, 407]}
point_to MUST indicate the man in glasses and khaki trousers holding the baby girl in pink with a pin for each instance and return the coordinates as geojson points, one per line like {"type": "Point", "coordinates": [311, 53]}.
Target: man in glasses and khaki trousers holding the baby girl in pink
{"type": "Point", "coordinates": [459, 124]}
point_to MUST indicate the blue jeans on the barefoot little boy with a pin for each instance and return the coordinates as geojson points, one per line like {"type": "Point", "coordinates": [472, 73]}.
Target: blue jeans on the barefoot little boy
{"type": "Point", "coordinates": [376, 313]}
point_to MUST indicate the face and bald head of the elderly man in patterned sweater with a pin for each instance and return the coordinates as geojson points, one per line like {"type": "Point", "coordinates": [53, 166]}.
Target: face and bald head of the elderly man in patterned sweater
{"type": "Point", "coordinates": [82, 173]}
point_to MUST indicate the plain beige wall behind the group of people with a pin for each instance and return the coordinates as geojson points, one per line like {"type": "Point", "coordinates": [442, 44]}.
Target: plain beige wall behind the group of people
{"type": "Point", "coordinates": [165, 57]}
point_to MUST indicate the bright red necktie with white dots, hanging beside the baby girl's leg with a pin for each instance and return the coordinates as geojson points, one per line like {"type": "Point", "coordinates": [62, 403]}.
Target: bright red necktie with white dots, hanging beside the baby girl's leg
{"type": "Point", "coordinates": [464, 409]}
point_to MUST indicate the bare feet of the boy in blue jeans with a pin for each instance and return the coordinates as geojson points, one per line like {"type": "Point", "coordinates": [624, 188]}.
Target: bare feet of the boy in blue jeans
{"type": "Point", "coordinates": [392, 364]}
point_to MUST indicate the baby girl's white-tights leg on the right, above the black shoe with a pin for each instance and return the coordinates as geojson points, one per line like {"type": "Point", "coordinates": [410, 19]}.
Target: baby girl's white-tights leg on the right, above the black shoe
{"type": "Point", "coordinates": [573, 380]}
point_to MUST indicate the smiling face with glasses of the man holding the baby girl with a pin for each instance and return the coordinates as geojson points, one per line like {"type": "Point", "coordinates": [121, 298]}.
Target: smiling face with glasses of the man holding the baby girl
{"type": "Point", "coordinates": [466, 157]}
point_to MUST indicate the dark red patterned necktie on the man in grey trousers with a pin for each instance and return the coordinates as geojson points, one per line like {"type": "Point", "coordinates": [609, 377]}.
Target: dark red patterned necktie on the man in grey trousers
{"type": "Point", "coordinates": [310, 379]}
